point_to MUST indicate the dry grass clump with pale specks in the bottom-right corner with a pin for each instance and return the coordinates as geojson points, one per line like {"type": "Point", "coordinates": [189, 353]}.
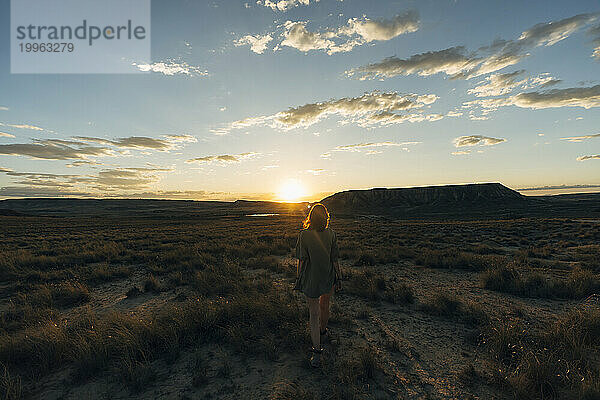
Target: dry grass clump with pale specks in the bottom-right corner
{"type": "Point", "coordinates": [559, 362]}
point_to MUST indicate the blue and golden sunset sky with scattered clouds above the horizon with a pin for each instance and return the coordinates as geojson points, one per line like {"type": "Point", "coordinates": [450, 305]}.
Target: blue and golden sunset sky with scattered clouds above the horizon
{"type": "Point", "coordinates": [297, 99]}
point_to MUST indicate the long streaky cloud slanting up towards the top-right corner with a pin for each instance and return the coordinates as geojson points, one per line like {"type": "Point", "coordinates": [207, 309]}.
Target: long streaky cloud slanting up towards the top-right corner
{"type": "Point", "coordinates": [457, 62]}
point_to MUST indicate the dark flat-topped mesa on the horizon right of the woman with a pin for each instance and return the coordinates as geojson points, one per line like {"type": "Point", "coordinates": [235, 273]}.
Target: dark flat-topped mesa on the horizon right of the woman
{"type": "Point", "coordinates": [484, 200]}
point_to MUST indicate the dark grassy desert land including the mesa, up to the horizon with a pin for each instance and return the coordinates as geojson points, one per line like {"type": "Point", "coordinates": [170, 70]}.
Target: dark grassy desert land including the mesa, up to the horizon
{"type": "Point", "coordinates": [458, 292]}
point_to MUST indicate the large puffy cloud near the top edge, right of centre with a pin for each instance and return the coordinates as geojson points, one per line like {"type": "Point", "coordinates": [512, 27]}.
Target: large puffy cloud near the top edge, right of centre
{"type": "Point", "coordinates": [356, 32]}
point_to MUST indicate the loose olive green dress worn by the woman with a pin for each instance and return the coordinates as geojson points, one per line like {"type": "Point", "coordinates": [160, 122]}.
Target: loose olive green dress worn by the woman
{"type": "Point", "coordinates": [317, 252]}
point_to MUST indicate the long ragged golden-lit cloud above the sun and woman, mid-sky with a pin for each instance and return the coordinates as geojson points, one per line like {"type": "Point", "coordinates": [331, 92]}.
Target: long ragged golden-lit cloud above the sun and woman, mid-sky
{"type": "Point", "coordinates": [369, 109]}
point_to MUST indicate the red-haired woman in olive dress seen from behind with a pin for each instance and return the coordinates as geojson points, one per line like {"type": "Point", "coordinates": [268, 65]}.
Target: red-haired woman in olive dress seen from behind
{"type": "Point", "coordinates": [318, 273]}
